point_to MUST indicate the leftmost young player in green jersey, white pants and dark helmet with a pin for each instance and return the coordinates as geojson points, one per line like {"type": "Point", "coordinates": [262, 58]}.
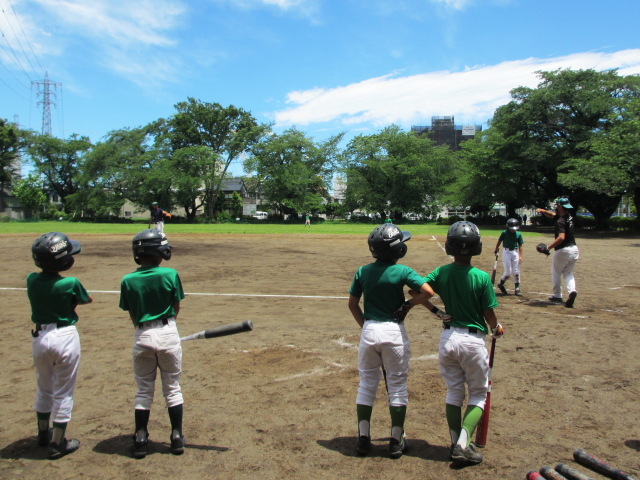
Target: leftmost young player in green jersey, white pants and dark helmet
{"type": "Point", "coordinates": [55, 344]}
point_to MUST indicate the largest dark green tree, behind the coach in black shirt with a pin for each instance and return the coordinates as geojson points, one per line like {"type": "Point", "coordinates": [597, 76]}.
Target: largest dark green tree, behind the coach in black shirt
{"type": "Point", "coordinates": [523, 157]}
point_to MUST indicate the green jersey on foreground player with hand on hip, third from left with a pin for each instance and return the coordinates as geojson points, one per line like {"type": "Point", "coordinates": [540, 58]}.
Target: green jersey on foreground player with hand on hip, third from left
{"type": "Point", "coordinates": [382, 284]}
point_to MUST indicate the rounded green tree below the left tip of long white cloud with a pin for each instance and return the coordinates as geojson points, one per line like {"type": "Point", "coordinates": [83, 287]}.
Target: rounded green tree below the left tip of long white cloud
{"type": "Point", "coordinates": [293, 171]}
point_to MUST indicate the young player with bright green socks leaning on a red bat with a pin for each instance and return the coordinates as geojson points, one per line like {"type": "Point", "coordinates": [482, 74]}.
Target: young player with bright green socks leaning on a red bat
{"type": "Point", "coordinates": [469, 297]}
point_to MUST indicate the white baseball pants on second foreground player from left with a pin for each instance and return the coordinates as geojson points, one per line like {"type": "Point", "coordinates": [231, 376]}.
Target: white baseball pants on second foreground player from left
{"type": "Point", "coordinates": [157, 346]}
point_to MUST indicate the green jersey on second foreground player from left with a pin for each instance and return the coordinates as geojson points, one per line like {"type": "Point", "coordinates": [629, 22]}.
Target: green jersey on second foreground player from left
{"type": "Point", "coordinates": [150, 292]}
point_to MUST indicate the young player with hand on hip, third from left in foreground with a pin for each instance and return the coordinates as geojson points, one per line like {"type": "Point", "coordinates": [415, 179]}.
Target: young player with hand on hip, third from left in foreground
{"type": "Point", "coordinates": [384, 343]}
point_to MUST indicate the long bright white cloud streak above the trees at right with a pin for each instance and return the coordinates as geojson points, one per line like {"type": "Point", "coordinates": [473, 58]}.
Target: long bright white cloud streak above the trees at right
{"type": "Point", "coordinates": [474, 93]}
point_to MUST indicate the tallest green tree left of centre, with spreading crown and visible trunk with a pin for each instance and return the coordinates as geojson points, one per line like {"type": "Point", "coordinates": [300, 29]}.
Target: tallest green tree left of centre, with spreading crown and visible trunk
{"type": "Point", "coordinates": [223, 135]}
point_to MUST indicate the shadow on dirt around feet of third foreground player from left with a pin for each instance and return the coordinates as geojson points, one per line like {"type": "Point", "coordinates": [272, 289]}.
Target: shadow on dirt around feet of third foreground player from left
{"type": "Point", "coordinates": [380, 448]}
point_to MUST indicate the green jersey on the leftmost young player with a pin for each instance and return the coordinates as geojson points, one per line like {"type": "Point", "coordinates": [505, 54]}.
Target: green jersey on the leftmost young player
{"type": "Point", "coordinates": [53, 298]}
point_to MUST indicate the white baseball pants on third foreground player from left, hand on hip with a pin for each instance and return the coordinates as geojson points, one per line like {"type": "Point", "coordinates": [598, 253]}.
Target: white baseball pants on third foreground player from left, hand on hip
{"type": "Point", "coordinates": [383, 344]}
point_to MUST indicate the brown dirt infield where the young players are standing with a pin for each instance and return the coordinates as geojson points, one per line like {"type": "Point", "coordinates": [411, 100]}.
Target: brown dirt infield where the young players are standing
{"type": "Point", "coordinates": [279, 402]}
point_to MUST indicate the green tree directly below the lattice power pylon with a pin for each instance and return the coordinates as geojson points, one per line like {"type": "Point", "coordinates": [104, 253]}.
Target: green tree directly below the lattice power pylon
{"type": "Point", "coordinates": [60, 162]}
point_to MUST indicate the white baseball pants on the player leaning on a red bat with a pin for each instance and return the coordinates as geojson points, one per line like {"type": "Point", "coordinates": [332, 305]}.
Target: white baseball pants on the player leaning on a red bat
{"type": "Point", "coordinates": [463, 358]}
